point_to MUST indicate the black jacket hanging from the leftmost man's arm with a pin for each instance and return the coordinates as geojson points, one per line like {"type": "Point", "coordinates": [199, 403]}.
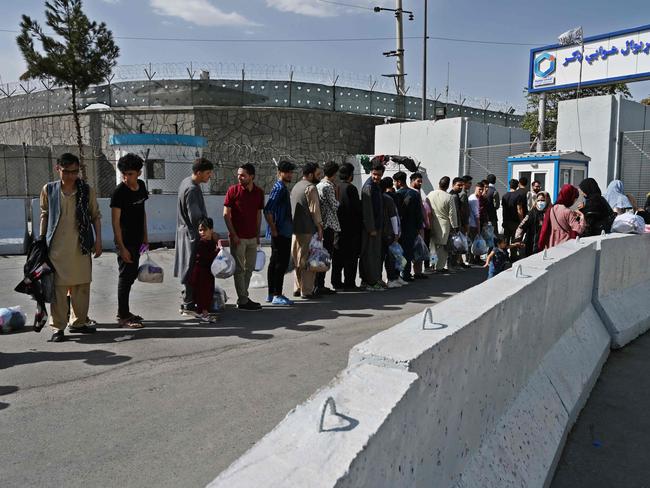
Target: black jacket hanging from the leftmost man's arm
{"type": "Point", "coordinates": [38, 281]}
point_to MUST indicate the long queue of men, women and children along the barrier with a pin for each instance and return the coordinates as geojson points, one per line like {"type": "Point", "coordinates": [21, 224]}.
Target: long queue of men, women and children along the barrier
{"type": "Point", "coordinates": [359, 228]}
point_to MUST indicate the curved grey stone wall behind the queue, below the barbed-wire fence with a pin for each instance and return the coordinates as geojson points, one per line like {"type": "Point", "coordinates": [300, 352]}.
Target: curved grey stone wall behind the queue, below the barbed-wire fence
{"type": "Point", "coordinates": [235, 136]}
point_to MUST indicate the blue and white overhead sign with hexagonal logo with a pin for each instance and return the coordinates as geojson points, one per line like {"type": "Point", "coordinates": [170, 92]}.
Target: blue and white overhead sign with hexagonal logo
{"type": "Point", "coordinates": [621, 56]}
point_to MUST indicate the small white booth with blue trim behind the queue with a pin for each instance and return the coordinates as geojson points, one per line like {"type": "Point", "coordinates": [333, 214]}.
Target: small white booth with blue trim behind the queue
{"type": "Point", "coordinates": [552, 169]}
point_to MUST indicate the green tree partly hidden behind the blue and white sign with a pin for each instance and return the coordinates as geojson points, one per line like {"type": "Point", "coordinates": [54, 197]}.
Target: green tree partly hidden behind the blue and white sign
{"type": "Point", "coordinates": [531, 120]}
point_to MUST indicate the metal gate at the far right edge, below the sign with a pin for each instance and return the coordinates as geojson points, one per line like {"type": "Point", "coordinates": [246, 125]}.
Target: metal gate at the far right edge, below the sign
{"type": "Point", "coordinates": [635, 164]}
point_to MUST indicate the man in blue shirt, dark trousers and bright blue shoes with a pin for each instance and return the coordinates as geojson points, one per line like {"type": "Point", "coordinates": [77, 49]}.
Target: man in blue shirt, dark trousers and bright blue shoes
{"type": "Point", "coordinates": [280, 229]}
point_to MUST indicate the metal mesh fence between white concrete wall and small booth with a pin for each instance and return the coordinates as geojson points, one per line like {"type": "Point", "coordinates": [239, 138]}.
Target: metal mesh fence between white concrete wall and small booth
{"type": "Point", "coordinates": [483, 160]}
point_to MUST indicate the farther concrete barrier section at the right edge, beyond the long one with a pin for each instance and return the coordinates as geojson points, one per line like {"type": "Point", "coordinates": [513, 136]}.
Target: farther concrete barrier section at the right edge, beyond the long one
{"type": "Point", "coordinates": [622, 286]}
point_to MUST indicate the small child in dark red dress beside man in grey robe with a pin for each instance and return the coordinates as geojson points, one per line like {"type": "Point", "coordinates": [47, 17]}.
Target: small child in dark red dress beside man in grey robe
{"type": "Point", "coordinates": [201, 279]}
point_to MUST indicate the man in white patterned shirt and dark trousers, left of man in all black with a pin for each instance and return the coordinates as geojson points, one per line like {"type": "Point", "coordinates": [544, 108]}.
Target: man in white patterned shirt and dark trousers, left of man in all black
{"type": "Point", "coordinates": [329, 204]}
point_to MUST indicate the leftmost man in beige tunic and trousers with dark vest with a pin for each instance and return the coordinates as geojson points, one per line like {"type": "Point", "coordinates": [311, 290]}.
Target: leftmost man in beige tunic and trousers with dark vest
{"type": "Point", "coordinates": [69, 212]}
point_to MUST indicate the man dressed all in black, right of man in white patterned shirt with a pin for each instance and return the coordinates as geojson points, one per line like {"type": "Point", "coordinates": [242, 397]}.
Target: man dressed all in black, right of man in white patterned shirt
{"type": "Point", "coordinates": [347, 246]}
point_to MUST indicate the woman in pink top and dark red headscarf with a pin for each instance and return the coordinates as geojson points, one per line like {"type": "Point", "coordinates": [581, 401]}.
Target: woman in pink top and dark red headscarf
{"type": "Point", "coordinates": [560, 222]}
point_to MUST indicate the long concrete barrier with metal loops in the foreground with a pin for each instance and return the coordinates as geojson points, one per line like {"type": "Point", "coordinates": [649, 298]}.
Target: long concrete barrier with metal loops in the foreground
{"type": "Point", "coordinates": [502, 371]}
